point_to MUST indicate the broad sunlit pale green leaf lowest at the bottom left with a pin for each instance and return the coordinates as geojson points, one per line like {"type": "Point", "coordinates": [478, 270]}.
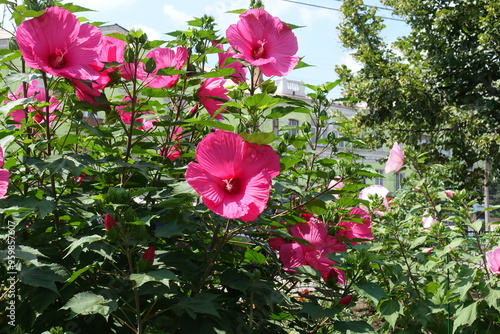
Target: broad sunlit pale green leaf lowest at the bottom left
{"type": "Point", "coordinates": [89, 303]}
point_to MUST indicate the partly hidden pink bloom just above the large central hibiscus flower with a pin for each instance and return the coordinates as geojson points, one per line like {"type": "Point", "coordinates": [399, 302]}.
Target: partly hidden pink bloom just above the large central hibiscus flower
{"type": "Point", "coordinates": [213, 87]}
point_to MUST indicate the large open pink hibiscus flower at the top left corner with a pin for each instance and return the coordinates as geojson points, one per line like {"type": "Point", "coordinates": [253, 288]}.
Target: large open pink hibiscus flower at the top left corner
{"type": "Point", "coordinates": [57, 43]}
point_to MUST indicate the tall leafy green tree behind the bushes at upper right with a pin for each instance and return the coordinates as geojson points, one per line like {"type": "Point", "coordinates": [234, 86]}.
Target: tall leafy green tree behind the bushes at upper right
{"type": "Point", "coordinates": [436, 89]}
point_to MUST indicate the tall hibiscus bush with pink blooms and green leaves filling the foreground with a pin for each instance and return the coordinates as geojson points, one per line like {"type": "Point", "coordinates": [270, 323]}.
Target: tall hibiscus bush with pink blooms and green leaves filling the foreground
{"type": "Point", "coordinates": [142, 193]}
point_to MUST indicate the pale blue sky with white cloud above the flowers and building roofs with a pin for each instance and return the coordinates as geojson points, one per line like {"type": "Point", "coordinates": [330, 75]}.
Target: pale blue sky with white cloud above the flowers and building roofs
{"type": "Point", "coordinates": [318, 41]}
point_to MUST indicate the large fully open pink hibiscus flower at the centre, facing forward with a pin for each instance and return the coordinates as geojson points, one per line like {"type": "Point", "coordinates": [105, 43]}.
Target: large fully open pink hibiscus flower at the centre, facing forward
{"type": "Point", "coordinates": [232, 176]}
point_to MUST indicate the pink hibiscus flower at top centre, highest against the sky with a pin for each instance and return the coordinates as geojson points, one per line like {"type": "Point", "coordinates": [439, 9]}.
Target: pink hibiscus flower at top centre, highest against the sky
{"type": "Point", "coordinates": [264, 41]}
